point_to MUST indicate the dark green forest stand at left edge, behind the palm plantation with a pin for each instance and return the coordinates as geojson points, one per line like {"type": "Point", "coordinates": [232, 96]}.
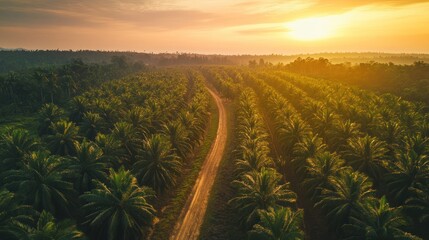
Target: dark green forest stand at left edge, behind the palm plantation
{"type": "Point", "coordinates": [29, 89]}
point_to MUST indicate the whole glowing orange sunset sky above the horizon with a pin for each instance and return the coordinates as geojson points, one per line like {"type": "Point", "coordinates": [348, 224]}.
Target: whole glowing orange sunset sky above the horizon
{"type": "Point", "coordinates": [217, 26]}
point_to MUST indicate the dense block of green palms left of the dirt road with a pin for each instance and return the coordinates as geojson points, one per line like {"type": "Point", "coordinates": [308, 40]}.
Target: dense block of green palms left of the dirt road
{"type": "Point", "coordinates": [95, 168]}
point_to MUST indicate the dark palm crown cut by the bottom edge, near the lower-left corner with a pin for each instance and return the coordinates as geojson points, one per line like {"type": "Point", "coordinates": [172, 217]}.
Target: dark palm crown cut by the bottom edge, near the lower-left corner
{"type": "Point", "coordinates": [47, 228]}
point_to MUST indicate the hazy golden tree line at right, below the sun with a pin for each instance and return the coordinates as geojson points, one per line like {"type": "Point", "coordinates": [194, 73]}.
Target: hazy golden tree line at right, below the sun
{"type": "Point", "coordinates": [408, 81]}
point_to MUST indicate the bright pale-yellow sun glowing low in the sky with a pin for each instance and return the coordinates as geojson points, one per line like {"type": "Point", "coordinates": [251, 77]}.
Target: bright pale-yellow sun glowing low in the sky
{"type": "Point", "coordinates": [310, 29]}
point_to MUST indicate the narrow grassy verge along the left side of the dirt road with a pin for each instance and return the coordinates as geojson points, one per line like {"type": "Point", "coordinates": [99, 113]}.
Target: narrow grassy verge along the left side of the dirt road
{"type": "Point", "coordinates": [171, 204]}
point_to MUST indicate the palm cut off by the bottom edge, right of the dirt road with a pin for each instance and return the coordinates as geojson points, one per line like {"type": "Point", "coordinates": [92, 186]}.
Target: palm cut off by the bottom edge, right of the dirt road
{"type": "Point", "coordinates": [278, 224]}
